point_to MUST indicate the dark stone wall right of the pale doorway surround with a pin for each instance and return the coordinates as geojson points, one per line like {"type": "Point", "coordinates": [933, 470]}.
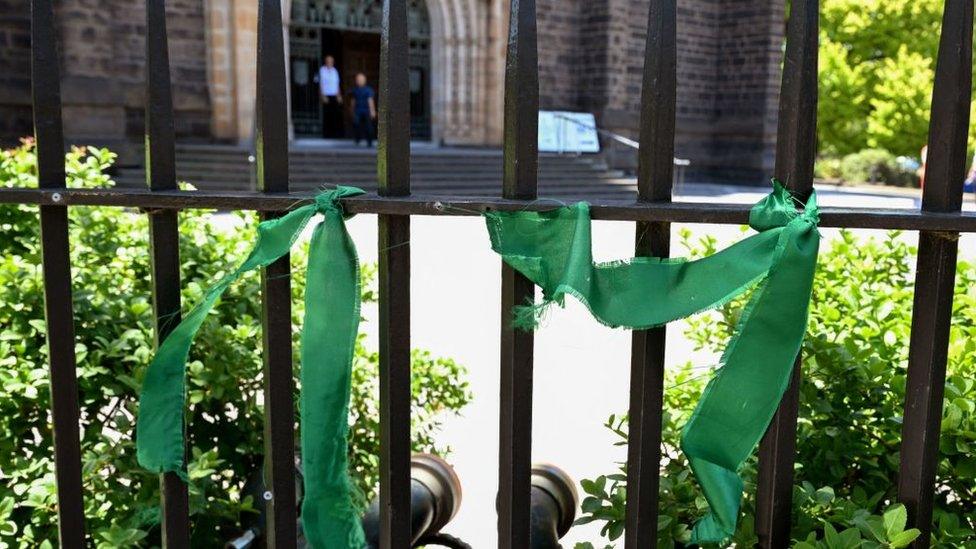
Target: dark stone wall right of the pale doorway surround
{"type": "Point", "coordinates": [728, 79]}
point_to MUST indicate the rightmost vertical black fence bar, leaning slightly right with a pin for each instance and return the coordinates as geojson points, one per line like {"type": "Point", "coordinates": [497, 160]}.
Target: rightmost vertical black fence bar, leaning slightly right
{"type": "Point", "coordinates": [936, 269]}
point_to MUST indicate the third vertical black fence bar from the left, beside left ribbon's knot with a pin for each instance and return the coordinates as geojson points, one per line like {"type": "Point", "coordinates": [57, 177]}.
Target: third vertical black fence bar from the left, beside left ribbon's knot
{"type": "Point", "coordinates": [271, 141]}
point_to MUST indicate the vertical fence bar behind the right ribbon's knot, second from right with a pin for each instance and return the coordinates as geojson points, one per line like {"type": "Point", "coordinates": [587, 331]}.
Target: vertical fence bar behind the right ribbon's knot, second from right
{"type": "Point", "coordinates": [795, 153]}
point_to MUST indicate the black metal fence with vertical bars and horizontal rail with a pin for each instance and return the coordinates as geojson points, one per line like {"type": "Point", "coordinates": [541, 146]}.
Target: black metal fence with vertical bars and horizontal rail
{"type": "Point", "coordinates": [939, 222]}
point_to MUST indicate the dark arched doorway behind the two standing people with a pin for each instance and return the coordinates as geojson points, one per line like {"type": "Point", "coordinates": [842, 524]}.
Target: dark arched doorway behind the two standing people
{"type": "Point", "coordinates": [349, 30]}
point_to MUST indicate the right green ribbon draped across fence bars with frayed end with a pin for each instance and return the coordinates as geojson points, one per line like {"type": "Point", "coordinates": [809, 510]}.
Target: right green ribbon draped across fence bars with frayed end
{"type": "Point", "coordinates": [553, 250]}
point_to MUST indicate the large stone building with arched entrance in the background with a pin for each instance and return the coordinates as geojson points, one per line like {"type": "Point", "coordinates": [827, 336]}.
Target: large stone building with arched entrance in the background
{"type": "Point", "coordinates": [590, 55]}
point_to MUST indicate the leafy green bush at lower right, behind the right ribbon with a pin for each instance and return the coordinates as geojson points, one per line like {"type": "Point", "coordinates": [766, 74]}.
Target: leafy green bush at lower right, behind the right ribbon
{"type": "Point", "coordinates": [851, 398]}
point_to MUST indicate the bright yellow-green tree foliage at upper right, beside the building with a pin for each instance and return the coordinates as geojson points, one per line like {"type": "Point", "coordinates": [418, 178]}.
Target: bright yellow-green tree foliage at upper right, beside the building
{"type": "Point", "coordinates": [877, 68]}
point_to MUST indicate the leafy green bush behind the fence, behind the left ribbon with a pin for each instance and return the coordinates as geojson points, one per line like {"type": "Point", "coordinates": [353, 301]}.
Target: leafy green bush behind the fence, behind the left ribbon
{"type": "Point", "coordinates": [114, 344]}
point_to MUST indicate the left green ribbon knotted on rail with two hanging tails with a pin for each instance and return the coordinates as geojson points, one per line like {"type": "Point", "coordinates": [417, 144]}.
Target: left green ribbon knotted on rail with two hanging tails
{"type": "Point", "coordinates": [329, 514]}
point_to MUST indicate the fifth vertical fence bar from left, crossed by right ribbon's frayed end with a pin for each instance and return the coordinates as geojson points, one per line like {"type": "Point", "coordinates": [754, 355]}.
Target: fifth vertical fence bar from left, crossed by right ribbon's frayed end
{"type": "Point", "coordinates": [520, 181]}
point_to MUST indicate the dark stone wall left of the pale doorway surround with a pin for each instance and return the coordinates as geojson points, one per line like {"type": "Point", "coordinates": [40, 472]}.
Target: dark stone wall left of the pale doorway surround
{"type": "Point", "coordinates": [102, 69]}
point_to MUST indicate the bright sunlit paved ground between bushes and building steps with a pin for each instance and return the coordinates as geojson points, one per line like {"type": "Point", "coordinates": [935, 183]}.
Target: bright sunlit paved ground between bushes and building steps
{"type": "Point", "coordinates": [582, 368]}
